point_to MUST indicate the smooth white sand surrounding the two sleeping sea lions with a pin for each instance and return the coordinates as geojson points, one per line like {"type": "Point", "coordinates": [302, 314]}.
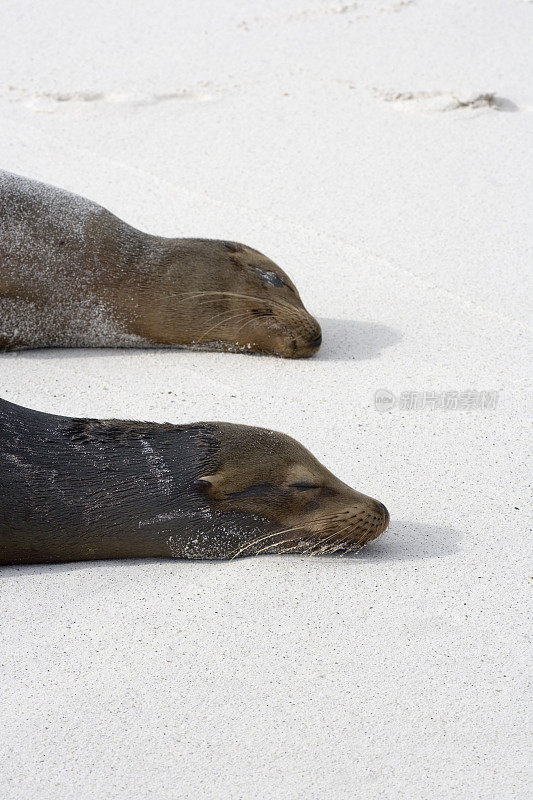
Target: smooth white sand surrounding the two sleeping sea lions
{"type": "Point", "coordinates": [377, 150]}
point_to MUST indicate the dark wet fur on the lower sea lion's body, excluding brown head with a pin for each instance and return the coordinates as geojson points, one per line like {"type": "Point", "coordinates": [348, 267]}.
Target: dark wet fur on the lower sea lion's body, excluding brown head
{"type": "Point", "coordinates": [76, 489]}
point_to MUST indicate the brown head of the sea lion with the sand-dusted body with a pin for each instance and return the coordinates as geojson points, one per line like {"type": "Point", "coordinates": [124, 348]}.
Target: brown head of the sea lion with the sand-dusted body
{"type": "Point", "coordinates": [238, 299]}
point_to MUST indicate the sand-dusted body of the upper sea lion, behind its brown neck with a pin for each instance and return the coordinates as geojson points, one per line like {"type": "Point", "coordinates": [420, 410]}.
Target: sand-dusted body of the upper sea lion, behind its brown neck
{"type": "Point", "coordinates": [49, 268]}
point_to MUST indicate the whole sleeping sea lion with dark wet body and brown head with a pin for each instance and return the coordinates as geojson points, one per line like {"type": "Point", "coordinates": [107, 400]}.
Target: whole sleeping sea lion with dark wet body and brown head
{"type": "Point", "coordinates": [79, 489]}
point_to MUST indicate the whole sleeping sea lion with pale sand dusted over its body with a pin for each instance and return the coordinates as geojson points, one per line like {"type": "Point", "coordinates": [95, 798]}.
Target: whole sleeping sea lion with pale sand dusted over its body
{"type": "Point", "coordinates": [74, 275]}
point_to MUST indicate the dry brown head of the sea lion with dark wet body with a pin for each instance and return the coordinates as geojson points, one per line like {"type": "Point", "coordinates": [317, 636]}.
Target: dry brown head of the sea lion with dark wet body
{"type": "Point", "coordinates": [283, 498]}
